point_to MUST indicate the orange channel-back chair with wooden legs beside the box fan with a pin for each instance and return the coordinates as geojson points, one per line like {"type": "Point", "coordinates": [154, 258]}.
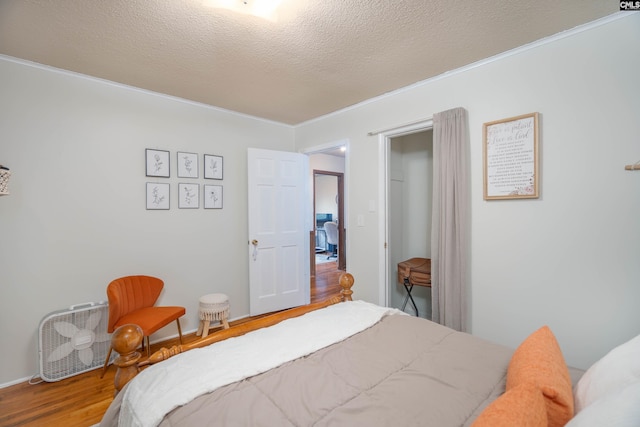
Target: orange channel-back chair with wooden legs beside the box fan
{"type": "Point", "coordinates": [131, 300]}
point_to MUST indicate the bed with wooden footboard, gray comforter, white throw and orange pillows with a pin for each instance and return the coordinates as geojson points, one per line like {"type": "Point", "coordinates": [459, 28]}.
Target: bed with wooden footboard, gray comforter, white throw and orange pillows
{"type": "Point", "coordinates": [344, 364]}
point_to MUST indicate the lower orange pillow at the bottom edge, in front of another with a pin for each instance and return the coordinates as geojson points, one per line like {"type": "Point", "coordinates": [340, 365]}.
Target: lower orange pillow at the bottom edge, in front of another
{"type": "Point", "coordinates": [522, 406]}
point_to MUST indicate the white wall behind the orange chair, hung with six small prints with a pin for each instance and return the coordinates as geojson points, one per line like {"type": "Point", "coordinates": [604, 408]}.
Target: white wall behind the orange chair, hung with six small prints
{"type": "Point", "coordinates": [76, 215]}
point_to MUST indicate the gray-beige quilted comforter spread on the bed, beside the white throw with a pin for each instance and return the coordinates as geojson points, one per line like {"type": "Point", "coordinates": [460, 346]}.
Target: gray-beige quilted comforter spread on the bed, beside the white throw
{"type": "Point", "coordinates": [404, 371]}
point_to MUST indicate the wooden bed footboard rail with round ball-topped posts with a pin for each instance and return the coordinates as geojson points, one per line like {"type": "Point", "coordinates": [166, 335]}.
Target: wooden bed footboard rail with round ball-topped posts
{"type": "Point", "coordinates": [127, 338]}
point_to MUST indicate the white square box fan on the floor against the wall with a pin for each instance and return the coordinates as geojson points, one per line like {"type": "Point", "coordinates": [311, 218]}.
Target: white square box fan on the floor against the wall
{"type": "Point", "coordinates": [73, 341]}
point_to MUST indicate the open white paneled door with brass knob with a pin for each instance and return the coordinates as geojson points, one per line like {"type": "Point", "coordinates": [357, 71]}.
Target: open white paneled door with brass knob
{"type": "Point", "coordinates": [278, 230]}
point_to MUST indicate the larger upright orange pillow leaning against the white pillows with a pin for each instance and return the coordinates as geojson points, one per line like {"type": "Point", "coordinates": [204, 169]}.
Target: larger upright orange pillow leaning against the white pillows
{"type": "Point", "coordinates": [539, 361]}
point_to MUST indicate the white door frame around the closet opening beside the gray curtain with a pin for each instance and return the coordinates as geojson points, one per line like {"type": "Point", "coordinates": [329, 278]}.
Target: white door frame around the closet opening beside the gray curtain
{"type": "Point", "coordinates": [384, 144]}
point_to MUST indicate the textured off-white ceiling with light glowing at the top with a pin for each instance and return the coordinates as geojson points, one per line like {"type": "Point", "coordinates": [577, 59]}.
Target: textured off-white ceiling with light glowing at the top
{"type": "Point", "coordinates": [315, 58]}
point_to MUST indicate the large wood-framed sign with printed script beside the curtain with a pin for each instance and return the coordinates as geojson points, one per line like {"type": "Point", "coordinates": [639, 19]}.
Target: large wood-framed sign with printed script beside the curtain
{"type": "Point", "coordinates": [510, 149]}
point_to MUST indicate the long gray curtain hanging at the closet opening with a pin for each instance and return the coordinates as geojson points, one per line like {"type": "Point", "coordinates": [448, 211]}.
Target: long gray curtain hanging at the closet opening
{"type": "Point", "coordinates": [450, 222]}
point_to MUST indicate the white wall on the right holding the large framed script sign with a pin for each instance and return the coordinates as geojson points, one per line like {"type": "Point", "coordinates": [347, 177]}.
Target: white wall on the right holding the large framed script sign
{"type": "Point", "coordinates": [570, 259]}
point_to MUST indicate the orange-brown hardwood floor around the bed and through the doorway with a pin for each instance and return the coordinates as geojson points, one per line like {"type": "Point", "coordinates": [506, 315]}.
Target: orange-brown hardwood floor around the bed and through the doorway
{"type": "Point", "coordinates": [80, 401]}
